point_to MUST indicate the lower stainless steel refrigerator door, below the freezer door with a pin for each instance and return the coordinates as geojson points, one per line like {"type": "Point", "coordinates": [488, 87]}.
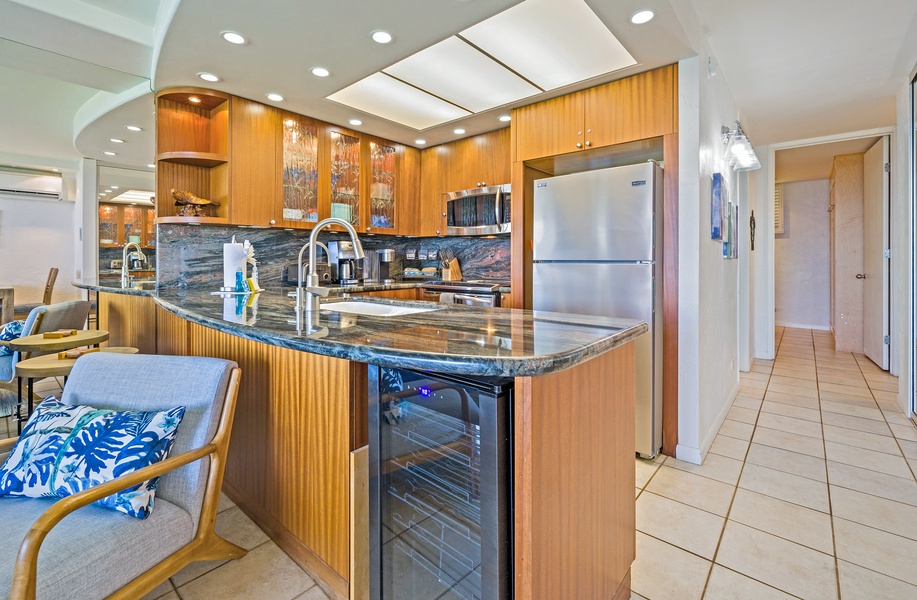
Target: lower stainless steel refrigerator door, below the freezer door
{"type": "Point", "coordinates": [614, 290]}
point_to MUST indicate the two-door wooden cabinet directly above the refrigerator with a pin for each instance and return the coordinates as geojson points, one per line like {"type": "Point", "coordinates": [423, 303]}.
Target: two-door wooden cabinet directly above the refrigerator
{"type": "Point", "coordinates": [629, 109]}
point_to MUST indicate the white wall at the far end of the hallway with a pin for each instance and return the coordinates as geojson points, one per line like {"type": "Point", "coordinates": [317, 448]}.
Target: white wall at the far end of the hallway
{"type": "Point", "coordinates": [801, 257]}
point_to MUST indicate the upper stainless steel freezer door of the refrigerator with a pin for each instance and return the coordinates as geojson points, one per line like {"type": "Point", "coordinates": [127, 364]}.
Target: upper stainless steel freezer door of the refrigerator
{"type": "Point", "coordinates": [607, 214]}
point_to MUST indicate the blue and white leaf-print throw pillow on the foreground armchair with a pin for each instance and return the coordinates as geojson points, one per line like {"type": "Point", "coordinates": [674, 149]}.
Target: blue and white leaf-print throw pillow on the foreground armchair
{"type": "Point", "coordinates": [65, 449]}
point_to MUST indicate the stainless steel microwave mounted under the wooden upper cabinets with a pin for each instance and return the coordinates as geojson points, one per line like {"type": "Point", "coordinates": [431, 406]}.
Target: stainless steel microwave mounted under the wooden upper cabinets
{"type": "Point", "coordinates": [480, 211]}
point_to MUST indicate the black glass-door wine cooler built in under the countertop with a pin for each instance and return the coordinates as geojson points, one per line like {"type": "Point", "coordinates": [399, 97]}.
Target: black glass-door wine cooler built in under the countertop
{"type": "Point", "coordinates": [440, 486]}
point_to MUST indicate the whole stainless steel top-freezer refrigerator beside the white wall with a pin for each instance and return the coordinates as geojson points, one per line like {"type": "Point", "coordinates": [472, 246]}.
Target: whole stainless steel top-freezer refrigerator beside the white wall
{"type": "Point", "coordinates": [597, 250]}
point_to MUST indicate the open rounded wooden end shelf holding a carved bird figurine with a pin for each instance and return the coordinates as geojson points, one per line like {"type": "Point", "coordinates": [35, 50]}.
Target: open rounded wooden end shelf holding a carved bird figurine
{"type": "Point", "coordinates": [192, 151]}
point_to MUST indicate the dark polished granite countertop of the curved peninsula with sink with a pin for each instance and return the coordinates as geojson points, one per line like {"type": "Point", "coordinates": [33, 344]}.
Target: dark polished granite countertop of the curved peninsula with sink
{"type": "Point", "coordinates": [451, 338]}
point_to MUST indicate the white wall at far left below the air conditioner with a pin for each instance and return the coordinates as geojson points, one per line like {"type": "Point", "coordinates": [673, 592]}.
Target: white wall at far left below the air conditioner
{"type": "Point", "coordinates": [36, 235]}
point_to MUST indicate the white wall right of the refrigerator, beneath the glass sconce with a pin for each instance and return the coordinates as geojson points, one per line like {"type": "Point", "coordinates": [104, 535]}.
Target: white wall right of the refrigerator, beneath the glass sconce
{"type": "Point", "coordinates": [708, 287]}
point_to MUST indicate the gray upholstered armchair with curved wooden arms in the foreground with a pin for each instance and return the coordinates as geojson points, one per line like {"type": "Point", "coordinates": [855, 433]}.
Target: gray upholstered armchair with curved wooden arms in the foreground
{"type": "Point", "coordinates": [73, 549]}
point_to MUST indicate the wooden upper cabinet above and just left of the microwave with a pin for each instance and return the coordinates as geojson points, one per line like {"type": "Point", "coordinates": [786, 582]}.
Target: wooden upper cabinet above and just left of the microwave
{"type": "Point", "coordinates": [464, 164]}
